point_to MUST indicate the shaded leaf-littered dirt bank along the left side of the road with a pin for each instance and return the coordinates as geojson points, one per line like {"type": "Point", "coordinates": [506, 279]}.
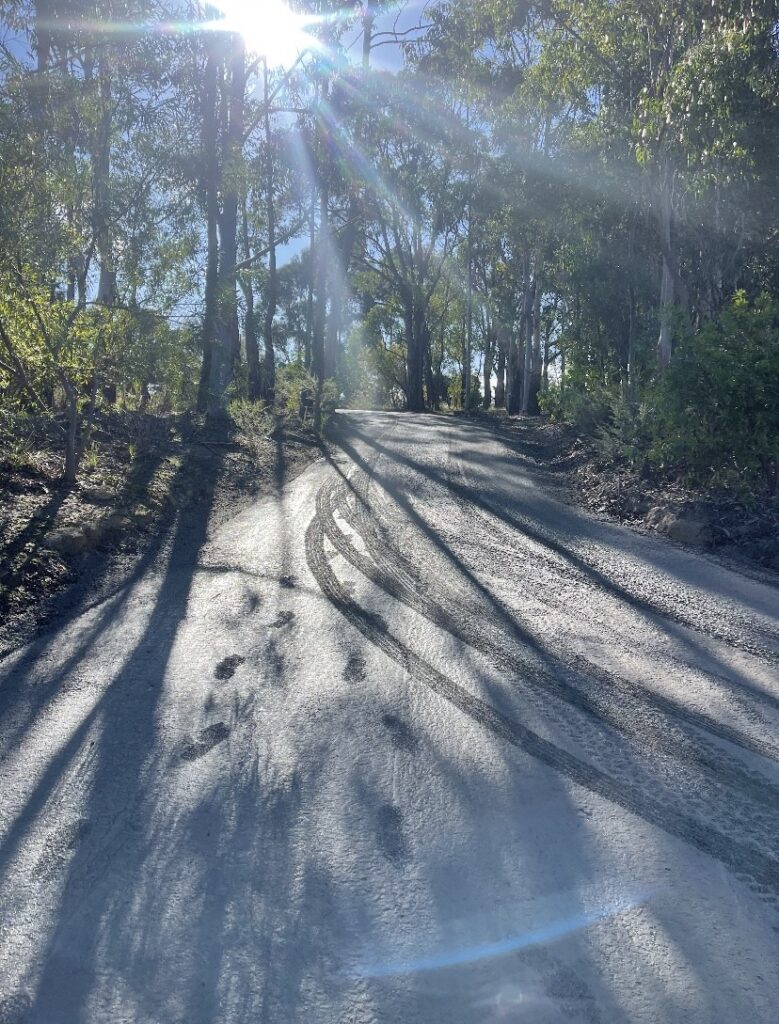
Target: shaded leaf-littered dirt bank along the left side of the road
{"type": "Point", "coordinates": [65, 548]}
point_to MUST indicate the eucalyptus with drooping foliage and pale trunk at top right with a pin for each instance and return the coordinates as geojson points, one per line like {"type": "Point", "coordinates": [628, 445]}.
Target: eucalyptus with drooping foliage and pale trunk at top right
{"type": "Point", "coordinates": [687, 94]}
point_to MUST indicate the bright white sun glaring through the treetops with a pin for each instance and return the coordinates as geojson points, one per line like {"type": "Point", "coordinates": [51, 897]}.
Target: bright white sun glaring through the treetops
{"type": "Point", "coordinates": [271, 29]}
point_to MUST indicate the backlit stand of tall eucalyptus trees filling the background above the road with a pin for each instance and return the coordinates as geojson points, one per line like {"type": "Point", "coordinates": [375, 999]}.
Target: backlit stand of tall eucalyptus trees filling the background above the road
{"type": "Point", "coordinates": [571, 205]}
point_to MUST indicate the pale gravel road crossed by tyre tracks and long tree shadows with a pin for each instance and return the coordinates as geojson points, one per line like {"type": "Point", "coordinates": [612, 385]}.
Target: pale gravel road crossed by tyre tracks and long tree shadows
{"type": "Point", "coordinates": [411, 742]}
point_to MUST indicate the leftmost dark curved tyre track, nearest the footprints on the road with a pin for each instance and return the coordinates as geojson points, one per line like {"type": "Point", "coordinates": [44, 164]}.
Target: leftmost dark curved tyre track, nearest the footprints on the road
{"type": "Point", "coordinates": [747, 863]}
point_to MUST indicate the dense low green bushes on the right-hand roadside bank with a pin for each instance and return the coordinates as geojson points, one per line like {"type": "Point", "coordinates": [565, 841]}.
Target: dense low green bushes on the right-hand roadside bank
{"type": "Point", "coordinates": [712, 419]}
